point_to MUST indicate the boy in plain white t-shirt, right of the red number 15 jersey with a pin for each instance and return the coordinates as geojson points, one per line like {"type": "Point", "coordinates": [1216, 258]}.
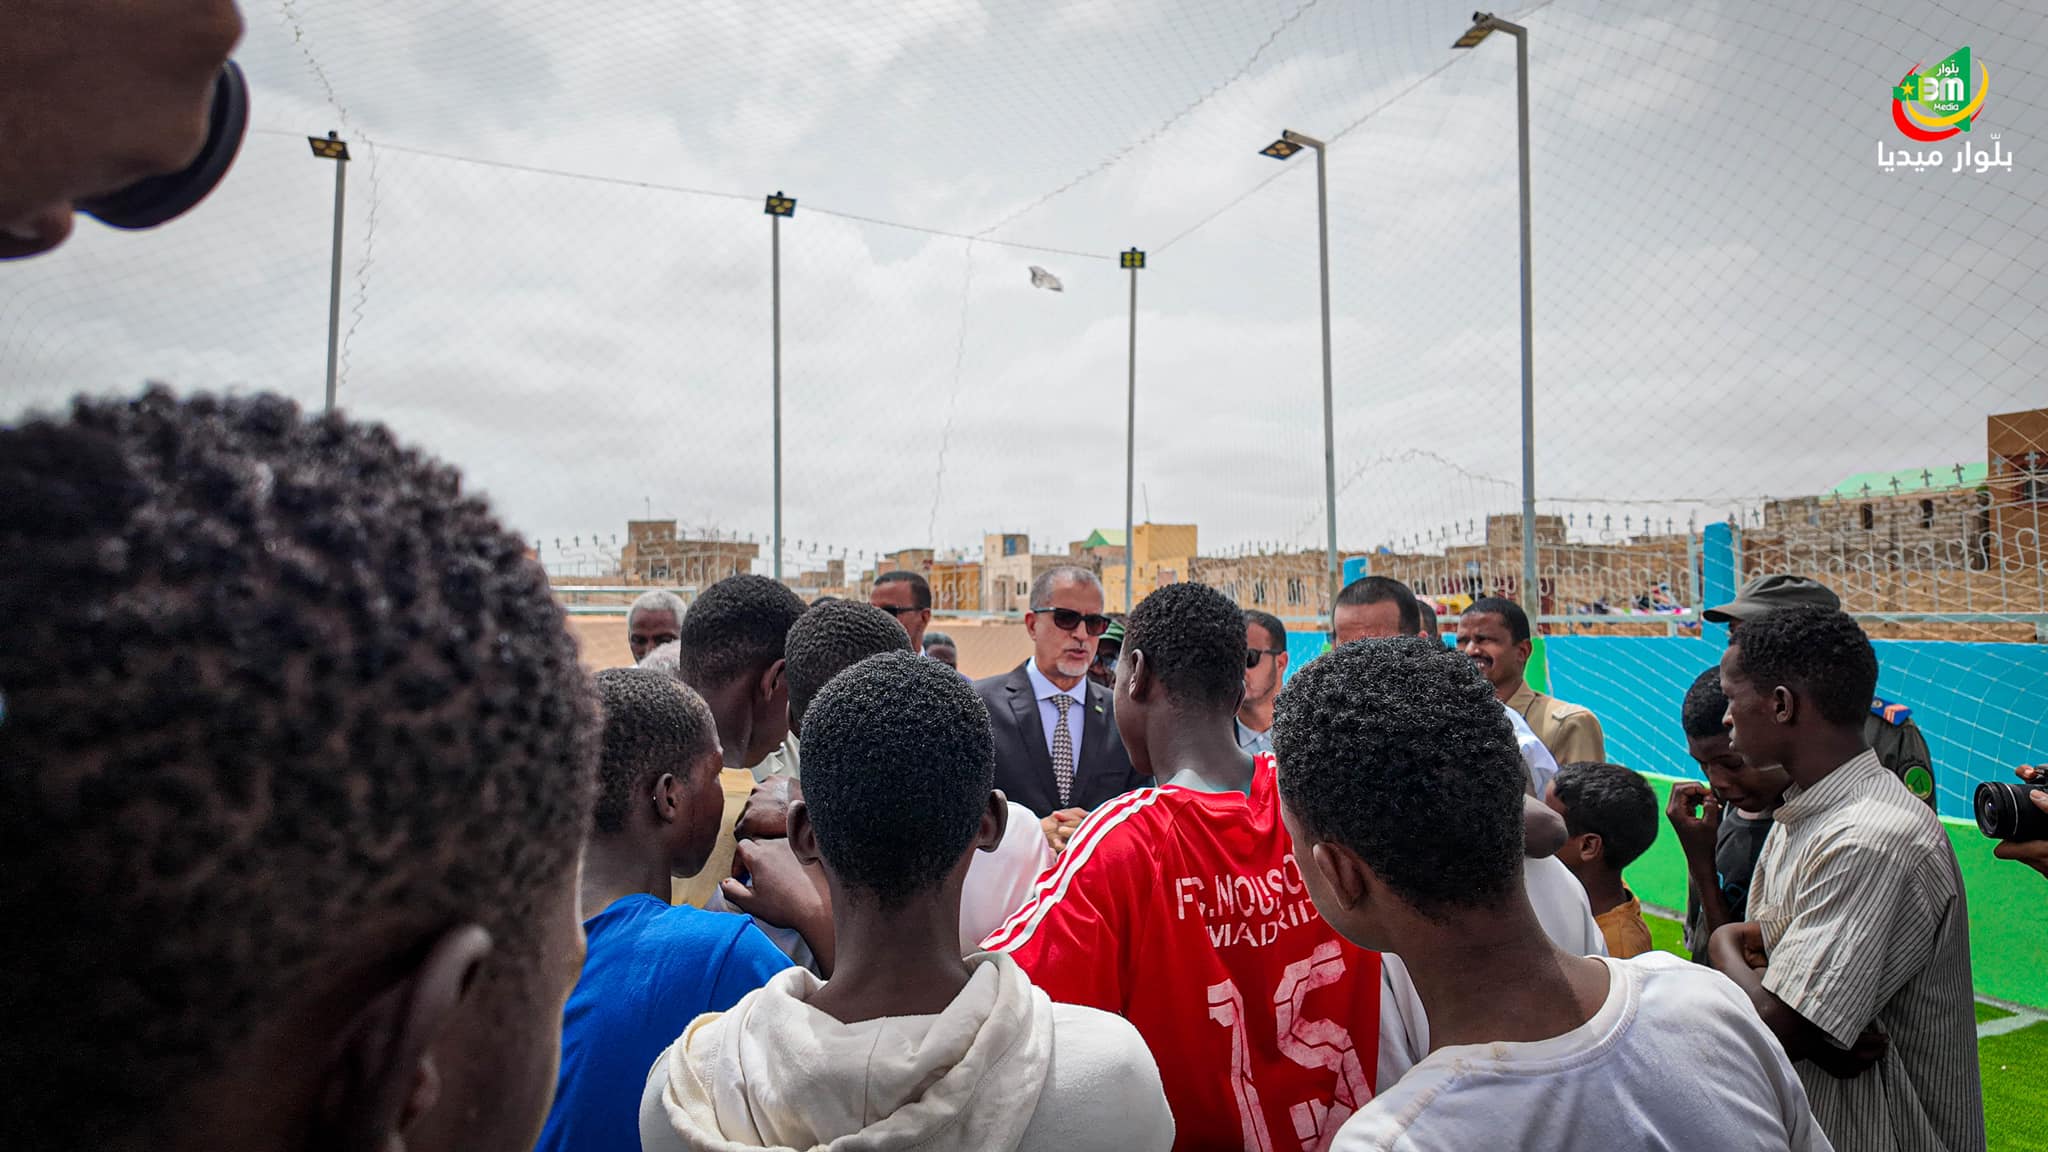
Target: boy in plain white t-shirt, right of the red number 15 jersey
{"type": "Point", "coordinates": [1402, 788]}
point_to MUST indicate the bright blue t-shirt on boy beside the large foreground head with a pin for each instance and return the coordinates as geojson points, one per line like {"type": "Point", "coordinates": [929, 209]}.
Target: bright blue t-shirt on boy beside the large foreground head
{"type": "Point", "coordinates": [648, 973]}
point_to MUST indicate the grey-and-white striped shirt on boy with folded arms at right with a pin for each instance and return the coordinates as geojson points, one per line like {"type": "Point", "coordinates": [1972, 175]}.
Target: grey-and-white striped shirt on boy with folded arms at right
{"type": "Point", "coordinates": [1865, 921]}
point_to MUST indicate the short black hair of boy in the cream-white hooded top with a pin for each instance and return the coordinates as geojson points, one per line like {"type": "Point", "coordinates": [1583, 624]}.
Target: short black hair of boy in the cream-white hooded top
{"type": "Point", "coordinates": [898, 768]}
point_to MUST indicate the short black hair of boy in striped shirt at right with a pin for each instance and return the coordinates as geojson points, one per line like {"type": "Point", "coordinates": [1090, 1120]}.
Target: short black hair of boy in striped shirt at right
{"type": "Point", "coordinates": [1818, 653]}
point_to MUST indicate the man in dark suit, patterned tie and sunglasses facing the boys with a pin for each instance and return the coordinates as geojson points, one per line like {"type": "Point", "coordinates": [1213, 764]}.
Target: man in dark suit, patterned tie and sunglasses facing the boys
{"type": "Point", "coordinates": [1056, 731]}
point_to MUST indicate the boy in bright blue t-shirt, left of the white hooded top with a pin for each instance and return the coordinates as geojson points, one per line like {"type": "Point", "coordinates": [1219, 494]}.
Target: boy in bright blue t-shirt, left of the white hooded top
{"type": "Point", "coordinates": [650, 966]}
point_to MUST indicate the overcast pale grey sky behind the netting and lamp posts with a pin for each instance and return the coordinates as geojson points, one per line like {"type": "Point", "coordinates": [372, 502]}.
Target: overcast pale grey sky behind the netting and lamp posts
{"type": "Point", "coordinates": [1734, 298]}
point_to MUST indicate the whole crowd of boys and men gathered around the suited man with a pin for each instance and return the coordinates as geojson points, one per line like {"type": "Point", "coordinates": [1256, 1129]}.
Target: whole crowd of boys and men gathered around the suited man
{"type": "Point", "coordinates": [329, 839]}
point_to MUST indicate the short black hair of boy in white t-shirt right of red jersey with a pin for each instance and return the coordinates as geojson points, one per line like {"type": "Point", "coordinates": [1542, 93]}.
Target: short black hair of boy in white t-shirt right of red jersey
{"type": "Point", "coordinates": [1400, 751]}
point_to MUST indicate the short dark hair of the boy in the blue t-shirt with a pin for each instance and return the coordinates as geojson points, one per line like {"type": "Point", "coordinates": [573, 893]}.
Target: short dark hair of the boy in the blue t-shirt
{"type": "Point", "coordinates": [652, 725]}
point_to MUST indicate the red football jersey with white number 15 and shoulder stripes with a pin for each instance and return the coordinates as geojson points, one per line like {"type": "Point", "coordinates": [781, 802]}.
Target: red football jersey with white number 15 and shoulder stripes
{"type": "Point", "coordinates": [1187, 915]}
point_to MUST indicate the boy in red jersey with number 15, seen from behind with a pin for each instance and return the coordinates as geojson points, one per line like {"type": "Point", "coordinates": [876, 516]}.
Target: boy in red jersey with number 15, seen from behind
{"type": "Point", "coordinates": [1185, 911]}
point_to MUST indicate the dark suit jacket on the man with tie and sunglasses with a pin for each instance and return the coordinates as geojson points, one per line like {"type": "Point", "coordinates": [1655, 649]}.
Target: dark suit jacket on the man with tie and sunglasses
{"type": "Point", "coordinates": [1025, 766]}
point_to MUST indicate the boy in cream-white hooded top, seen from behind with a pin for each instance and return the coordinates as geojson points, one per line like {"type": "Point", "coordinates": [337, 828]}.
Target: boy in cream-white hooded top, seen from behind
{"type": "Point", "coordinates": [908, 1044]}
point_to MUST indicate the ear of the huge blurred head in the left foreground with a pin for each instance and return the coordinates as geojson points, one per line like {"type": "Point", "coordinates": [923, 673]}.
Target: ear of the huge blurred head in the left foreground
{"type": "Point", "coordinates": [386, 1075]}
